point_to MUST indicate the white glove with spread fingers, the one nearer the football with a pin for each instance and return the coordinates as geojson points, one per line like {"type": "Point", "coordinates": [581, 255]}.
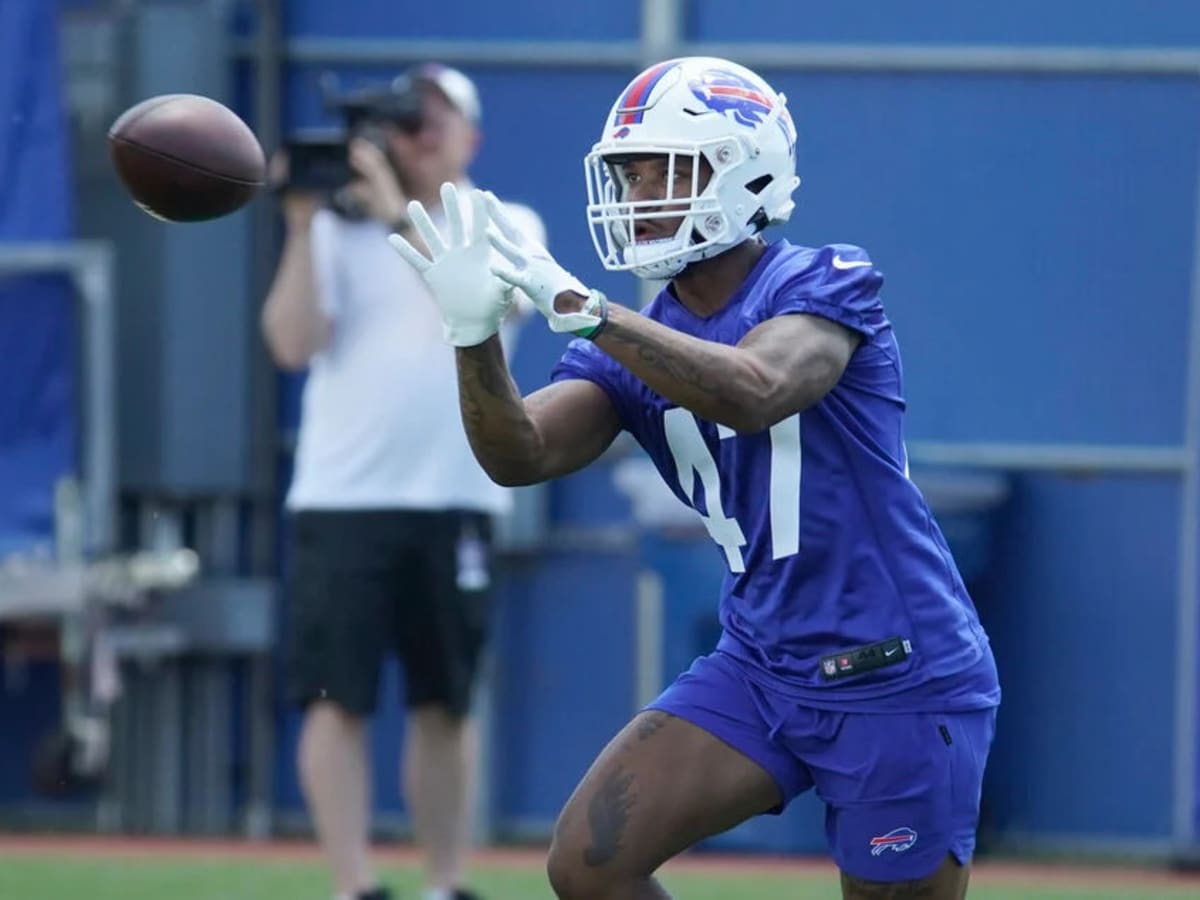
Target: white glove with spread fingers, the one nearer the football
{"type": "Point", "coordinates": [472, 301]}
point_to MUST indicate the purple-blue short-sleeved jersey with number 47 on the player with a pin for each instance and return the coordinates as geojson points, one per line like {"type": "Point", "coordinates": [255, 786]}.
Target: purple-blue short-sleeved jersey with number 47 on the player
{"type": "Point", "coordinates": [841, 590]}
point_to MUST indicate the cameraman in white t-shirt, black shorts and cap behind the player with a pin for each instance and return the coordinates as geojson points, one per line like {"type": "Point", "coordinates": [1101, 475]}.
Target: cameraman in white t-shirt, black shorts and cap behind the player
{"type": "Point", "coordinates": [391, 512]}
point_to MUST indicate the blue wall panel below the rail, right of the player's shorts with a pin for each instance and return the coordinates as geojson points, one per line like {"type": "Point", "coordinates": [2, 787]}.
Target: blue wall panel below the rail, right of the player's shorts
{"type": "Point", "coordinates": [1082, 610]}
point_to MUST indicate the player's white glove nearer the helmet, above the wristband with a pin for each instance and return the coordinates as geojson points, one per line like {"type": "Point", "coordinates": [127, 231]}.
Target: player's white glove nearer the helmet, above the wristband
{"type": "Point", "coordinates": [536, 272]}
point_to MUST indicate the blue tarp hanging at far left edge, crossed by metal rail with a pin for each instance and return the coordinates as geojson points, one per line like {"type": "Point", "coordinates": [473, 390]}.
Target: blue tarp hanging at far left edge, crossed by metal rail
{"type": "Point", "coordinates": [38, 361]}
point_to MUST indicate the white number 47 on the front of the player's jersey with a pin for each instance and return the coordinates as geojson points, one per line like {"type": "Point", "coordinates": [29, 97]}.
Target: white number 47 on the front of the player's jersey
{"type": "Point", "coordinates": [692, 455]}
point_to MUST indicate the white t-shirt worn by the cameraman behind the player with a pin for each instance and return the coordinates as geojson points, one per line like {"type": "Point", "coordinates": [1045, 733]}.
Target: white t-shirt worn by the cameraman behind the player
{"type": "Point", "coordinates": [380, 422]}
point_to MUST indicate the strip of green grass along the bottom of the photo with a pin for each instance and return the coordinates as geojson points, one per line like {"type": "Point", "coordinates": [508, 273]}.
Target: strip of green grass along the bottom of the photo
{"type": "Point", "coordinates": [125, 877]}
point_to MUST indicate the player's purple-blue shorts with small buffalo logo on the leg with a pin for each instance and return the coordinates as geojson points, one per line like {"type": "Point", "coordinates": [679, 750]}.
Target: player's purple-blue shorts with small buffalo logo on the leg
{"type": "Point", "coordinates": [902, 790]}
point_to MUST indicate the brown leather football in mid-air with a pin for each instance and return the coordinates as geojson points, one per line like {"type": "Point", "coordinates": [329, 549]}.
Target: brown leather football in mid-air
{"type": "Point", "coordinates": [187, 159]}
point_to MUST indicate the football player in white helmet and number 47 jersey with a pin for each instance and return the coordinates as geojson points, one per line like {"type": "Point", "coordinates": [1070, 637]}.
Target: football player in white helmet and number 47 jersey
{"type": "Point", "coordinates": [765, 383]}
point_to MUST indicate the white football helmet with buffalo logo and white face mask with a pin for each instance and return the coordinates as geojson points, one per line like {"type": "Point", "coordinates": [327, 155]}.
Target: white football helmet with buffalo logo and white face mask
{"type": "Point", "coordinates": [693, 107]}
